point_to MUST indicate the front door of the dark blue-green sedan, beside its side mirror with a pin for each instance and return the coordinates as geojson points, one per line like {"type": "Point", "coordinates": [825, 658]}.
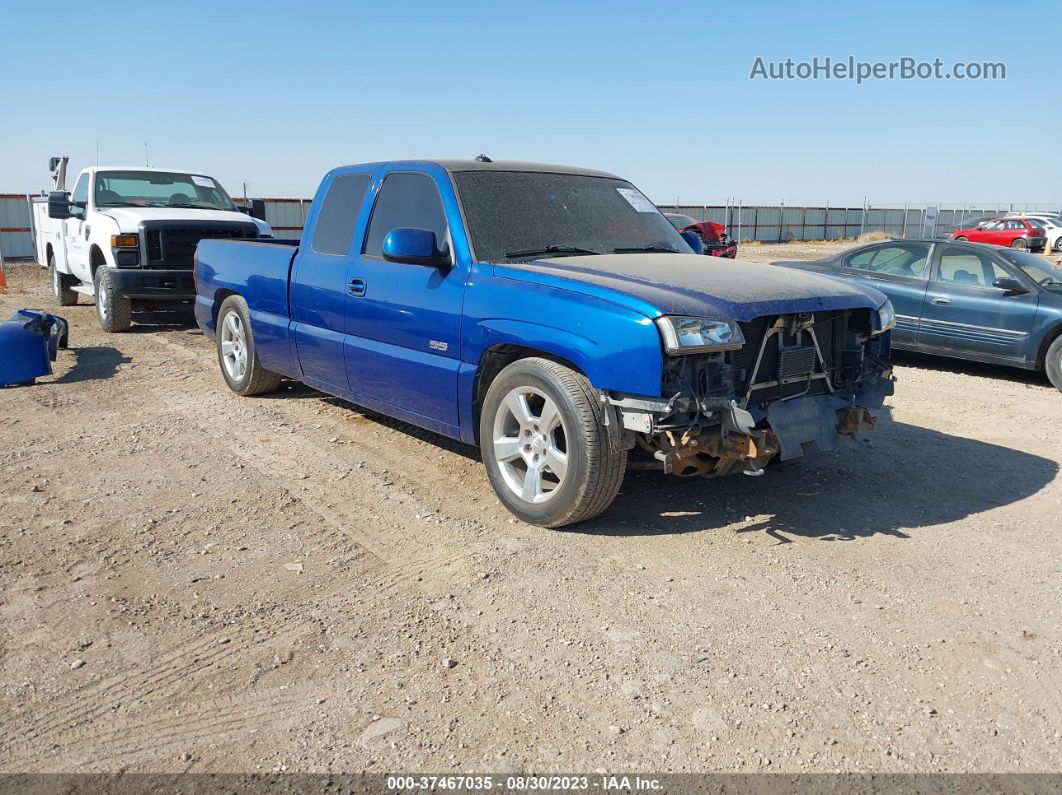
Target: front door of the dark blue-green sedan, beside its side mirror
{"type": "Point", "coordinates": [966, 316]}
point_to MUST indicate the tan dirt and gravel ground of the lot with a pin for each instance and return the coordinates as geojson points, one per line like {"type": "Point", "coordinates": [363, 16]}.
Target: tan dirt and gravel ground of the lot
{"type": "Point", "coordinates": [194, 581]}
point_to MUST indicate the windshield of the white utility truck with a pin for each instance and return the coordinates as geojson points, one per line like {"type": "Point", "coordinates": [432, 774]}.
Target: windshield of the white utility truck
{"type": "Point", "coordinates": [160, 189]}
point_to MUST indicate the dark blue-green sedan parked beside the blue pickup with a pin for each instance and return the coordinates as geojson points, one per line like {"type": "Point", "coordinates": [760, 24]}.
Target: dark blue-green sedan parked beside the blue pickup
{"type": "Point", "coordinates": [963, 300]}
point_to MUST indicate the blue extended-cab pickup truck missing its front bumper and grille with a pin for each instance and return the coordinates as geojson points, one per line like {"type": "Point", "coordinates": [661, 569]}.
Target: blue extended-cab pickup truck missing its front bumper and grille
{"type": "Point", "coordinates": [552, 317]}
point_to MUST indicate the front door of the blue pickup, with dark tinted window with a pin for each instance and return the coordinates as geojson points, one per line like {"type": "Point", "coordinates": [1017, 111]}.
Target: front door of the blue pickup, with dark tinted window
{"type": "Point", "coordinates": [404, 321]}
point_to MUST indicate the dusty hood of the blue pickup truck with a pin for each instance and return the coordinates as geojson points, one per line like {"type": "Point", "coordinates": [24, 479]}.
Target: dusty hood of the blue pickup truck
{"type": "Point", "coordinates": [698, 286]}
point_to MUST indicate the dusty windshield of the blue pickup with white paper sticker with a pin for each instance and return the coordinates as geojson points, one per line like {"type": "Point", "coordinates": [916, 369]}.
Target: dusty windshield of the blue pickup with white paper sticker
{"type": "Point", "coordinates": [520, 215]}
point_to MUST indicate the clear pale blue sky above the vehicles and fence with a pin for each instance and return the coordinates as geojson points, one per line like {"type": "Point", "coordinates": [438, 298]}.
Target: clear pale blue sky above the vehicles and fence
{"type": "Point", "coordinates": [275, 94]}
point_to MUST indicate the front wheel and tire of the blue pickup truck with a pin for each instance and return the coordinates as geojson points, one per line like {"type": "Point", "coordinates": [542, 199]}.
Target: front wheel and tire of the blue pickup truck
{"type": "Point", "coordinates": [545, 447]}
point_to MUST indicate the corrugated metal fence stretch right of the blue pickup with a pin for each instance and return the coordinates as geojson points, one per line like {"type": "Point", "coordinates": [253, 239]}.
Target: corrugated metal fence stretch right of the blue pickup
{"type": "Point", "coordinates": [779, 223]}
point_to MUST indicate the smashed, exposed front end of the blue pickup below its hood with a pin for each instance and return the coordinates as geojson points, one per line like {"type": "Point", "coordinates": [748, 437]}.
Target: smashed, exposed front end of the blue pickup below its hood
{"type": "Point", "coordinates": [778, 387]}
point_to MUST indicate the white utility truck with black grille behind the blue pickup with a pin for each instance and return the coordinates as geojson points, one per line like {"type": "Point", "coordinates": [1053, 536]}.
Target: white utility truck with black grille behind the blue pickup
{"type": "Point", "coordinates": [127, 235]}
